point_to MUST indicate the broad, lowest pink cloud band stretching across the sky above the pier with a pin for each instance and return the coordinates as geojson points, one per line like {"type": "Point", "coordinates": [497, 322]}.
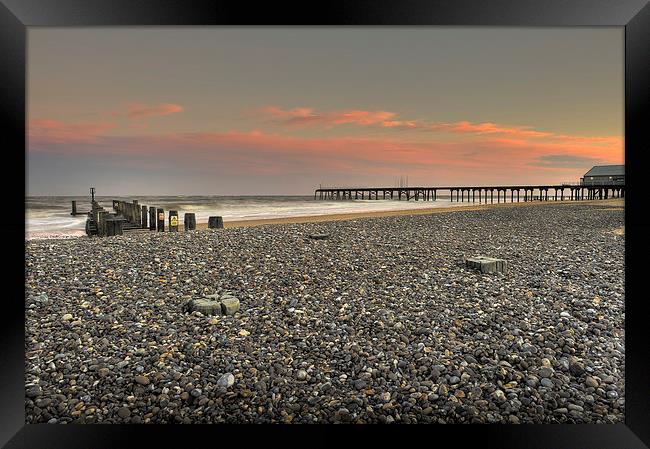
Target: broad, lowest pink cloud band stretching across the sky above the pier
{"type": "Point", "coordinates": [255, 152]}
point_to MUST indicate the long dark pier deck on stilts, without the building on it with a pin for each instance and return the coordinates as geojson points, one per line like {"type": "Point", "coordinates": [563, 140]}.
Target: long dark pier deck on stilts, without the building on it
{"type": "Point", "coordinates": [480, 194]}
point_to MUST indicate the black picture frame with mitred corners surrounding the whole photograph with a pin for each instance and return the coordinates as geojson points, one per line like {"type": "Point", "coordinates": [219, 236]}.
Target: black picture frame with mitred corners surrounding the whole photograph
{"type": "Point", "coordinates": [634, 15]}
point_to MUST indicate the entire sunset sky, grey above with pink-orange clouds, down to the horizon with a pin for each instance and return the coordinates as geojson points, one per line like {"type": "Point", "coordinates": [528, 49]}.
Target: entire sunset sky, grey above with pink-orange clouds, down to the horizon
{"type": "Point", "coordinates": [269, 111]}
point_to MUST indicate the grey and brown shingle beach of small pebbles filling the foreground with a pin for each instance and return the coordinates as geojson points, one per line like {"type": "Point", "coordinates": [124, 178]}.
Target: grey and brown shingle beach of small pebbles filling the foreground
{"type": "Point", "coordinates": [381, 322]}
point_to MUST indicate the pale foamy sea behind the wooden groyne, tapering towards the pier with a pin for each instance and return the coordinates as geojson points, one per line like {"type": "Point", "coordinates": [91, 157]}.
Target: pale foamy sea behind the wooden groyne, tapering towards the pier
{"type": "Point", "coordinates": [48, 217]}
